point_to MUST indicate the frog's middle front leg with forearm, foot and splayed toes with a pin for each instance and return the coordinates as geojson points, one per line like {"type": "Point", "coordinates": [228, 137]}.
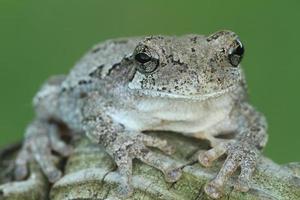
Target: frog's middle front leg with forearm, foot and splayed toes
{"type": "Point", "coordinates": [125, 145]}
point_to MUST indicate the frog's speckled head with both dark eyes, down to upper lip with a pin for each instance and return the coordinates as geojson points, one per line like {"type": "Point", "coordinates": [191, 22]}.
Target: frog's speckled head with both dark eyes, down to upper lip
{"type": "Point", "coordinates": [189, 67]}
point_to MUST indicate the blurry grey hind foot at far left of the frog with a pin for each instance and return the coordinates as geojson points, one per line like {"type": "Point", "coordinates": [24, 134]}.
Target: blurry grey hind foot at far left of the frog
{"type": "Point", "coordinates": [42, 138]}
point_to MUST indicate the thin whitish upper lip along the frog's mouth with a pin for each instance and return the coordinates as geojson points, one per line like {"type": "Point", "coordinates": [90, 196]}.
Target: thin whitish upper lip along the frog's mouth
{"type": "Point", "coordinates": [194, 97]}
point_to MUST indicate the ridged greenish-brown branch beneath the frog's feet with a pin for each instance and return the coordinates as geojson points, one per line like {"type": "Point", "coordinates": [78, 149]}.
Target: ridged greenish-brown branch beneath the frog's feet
{"type": "Point", "coordinates": [91, 174]}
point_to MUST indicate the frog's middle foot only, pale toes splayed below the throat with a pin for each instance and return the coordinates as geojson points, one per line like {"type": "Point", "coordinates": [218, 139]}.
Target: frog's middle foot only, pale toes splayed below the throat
{"type": "Point", "coordinates": [125, 149]}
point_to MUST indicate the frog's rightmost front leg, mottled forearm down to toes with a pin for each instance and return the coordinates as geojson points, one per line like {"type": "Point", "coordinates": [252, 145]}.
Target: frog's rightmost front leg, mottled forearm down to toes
{"type": "Point", "coordinates": [242, 151]}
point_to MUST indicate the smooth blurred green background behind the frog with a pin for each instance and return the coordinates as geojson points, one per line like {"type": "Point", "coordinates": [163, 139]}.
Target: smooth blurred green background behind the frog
{"type": "Point", "coordinates": [42, 38]}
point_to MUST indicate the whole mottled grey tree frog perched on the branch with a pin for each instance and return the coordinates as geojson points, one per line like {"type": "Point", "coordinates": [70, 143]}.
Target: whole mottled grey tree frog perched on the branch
{"type": "Point", "coordinates": [191, 84]}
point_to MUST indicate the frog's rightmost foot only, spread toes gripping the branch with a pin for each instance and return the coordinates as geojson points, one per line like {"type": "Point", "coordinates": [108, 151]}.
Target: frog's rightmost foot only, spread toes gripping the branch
{"type": "Point", "coordinates": [240, 154]}
